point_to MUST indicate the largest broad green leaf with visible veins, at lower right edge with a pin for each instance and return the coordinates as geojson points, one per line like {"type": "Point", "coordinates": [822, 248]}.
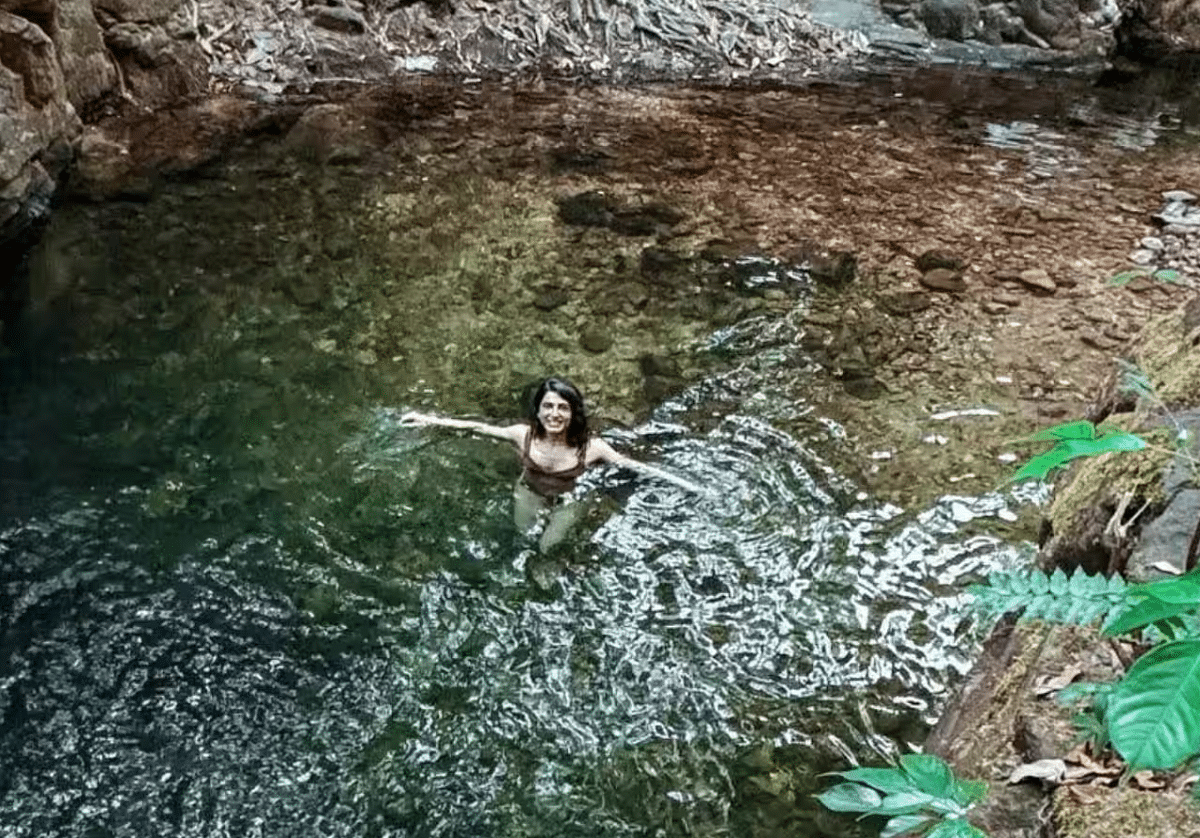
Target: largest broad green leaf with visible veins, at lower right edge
{"type": "Point", "coordinates": [1154, 714]}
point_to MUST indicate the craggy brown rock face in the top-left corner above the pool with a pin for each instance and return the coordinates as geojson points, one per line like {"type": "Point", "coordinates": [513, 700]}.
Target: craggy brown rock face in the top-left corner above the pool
{"type": "Point", "coordinates": [58, 59]}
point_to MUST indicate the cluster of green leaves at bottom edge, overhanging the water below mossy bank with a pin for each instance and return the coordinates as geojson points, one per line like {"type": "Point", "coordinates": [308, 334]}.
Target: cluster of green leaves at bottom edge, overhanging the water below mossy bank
{"type": "Point", "coordinates": [922, 797]}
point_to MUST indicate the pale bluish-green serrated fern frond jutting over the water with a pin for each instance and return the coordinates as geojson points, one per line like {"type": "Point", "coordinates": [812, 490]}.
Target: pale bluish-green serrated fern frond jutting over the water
{"type": "Point", "coordinates": [1077, 600]}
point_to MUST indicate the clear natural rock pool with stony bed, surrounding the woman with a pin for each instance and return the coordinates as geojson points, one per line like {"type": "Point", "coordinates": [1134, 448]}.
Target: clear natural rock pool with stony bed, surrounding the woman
{"type": "Point", "coordinates": [241, 600]}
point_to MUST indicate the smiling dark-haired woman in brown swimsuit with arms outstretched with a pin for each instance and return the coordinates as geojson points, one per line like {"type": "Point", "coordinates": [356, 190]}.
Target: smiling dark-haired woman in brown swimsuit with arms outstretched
{"type": "Point", "coordinates": [555, 448]}
